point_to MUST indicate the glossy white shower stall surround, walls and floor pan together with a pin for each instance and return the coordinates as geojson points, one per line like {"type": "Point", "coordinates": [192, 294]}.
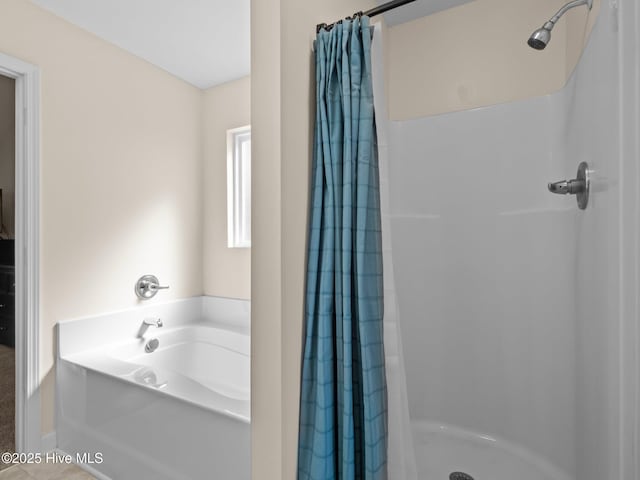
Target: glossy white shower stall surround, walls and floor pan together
{"type": "Point", "coordinates": [508, 296]}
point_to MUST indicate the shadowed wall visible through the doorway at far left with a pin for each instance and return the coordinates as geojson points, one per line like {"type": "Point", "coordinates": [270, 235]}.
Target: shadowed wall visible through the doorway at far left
{"type": "Point", "coordinates": [7, 154]}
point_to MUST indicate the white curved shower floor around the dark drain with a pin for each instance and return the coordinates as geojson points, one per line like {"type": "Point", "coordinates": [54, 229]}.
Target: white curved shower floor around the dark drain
{"type": "Point", "coordinates": [442, 450]}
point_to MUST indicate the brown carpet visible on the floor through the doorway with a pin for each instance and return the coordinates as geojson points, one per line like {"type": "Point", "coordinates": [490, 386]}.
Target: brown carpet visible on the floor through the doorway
{"type": "Point", "coordinates": [7, 401]}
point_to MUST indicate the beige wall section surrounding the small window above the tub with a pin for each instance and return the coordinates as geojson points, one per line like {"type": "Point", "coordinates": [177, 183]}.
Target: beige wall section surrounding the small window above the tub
{"type": "Point", "coordinates": [227, 271]}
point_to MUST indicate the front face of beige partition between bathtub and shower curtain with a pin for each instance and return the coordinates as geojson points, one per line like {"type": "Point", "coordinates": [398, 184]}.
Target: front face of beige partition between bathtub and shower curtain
{"type": "Point", "coordinates": [266, 249]}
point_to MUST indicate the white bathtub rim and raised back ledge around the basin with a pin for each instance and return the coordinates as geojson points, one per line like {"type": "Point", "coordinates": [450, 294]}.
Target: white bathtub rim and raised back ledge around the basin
{"type": "Point", "coordinates": [85, 342]}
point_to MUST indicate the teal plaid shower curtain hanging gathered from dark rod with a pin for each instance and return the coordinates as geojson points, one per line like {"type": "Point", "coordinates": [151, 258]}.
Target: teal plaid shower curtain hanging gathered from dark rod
{"type": "Point", "coordinates": [343, 407]}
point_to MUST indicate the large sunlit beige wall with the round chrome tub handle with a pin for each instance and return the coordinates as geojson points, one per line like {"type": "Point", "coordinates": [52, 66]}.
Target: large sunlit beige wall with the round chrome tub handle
{"type": "Point", "coordinates": [121, 158]}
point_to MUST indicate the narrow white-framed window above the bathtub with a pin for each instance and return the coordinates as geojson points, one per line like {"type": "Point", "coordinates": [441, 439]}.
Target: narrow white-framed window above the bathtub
{"type": "Point", "coordinates": [239, 187]}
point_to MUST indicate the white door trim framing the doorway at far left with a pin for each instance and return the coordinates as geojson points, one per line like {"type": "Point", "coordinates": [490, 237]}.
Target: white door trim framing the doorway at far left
{"type": "Point", "coordinates": [27, 246]}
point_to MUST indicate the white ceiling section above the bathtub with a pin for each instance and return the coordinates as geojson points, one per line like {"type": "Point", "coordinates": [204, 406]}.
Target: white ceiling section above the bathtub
{"type": "Point", "coordinates": [205, 42]}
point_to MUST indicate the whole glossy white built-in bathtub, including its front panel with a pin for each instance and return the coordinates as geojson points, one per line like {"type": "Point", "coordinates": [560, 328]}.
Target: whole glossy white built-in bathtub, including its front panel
{"type": "Point", "coordinates": [179, 412]}
